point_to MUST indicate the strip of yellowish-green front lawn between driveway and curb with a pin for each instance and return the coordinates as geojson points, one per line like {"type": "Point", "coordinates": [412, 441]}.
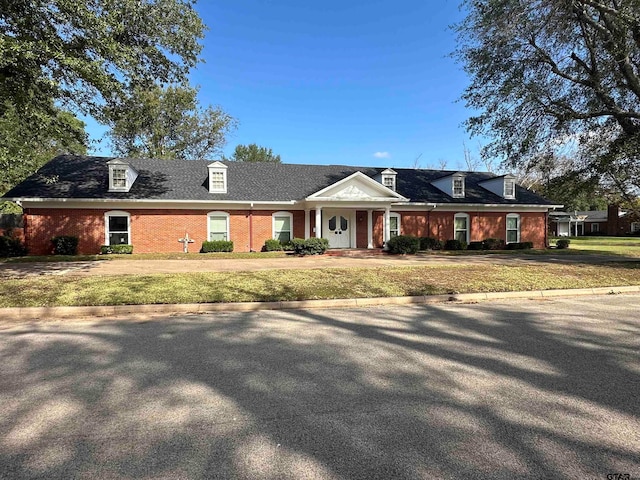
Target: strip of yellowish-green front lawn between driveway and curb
{"type": "Point", "coordinates": [282, 285]}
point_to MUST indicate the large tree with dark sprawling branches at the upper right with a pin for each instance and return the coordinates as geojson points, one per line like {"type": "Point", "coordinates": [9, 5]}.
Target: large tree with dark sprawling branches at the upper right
{"type": "Point", "coordinates": [556, 76]}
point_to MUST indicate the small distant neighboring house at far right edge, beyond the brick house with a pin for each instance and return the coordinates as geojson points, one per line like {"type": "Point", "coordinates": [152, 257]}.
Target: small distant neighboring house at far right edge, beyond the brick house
{"type": "Point", "coordinates": [612, 221]}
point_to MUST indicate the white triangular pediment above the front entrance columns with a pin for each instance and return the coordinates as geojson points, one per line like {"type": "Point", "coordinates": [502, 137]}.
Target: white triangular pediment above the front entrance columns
{"type": "Point", "coordinates": [357, 187]}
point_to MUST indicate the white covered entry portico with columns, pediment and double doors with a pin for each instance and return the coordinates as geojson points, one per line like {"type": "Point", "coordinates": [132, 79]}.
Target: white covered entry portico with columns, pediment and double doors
{"type": "Point", "coordinates": [336, 210]}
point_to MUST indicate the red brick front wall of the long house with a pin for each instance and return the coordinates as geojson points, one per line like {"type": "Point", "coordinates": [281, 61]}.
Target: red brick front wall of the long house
{"type": "Point", "coordinates": [159, 230]}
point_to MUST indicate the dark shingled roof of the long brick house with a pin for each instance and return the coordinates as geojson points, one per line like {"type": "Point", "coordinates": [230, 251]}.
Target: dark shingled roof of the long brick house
{"type": "Point", "coordinates": [70, 176]}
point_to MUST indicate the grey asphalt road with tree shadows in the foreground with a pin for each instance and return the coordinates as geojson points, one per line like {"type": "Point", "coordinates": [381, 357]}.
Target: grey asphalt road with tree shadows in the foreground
{"type": "Point", "coordinates": [522, 389]}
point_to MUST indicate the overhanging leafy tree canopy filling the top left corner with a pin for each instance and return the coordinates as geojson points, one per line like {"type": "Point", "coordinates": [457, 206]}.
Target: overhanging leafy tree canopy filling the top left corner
{"type": "Point", "coordinates": [84, 54]}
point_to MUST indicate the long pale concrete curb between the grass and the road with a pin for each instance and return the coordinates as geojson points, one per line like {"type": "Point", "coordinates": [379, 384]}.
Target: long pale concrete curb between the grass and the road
{"type": "Point", "coordinates": [35, 313]}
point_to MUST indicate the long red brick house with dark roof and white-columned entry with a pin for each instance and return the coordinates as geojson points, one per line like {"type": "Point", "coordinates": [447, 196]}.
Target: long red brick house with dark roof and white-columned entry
{"type": "Point", "coordinates": [152, 203]}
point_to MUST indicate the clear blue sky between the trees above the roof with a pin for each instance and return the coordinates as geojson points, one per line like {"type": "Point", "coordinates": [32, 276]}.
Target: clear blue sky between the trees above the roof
{"type": "Point", "coordinates": [335, 82]}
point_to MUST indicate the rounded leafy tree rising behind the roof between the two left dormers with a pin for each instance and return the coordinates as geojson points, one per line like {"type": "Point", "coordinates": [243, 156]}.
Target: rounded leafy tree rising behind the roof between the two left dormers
{"type": "Point", "coordinates": [168, 123]}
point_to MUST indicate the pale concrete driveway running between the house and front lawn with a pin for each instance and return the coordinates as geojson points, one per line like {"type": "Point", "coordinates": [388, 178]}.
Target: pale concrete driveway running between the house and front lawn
{"type": "Point", "coordinates": [147, 267]}
